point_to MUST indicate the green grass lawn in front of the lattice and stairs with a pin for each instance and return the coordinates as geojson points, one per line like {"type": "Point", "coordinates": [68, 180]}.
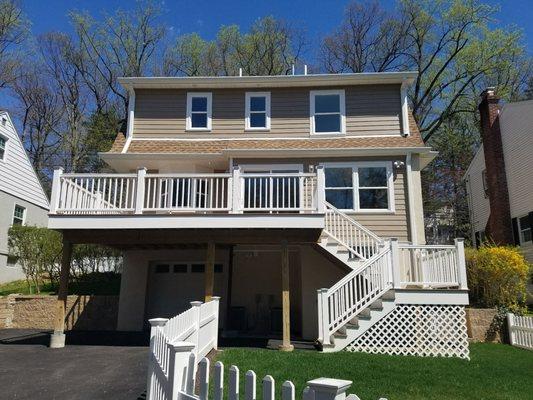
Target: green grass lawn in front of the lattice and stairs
{"type": "Point", "coordinates": [495, 371]}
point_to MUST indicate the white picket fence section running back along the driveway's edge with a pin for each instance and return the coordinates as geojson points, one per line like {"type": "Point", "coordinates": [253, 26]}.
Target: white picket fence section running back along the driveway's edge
{"type": "Point", "coordinates": [197, 327]}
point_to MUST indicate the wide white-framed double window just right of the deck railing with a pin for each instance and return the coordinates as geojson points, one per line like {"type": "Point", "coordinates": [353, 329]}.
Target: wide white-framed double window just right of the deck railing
{"type": "Point", "coordinates": [365, 187]}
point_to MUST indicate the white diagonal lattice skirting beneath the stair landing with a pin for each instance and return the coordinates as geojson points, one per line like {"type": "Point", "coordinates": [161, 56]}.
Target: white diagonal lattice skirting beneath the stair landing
{"type": "Point", "coordinates": [418, 330]}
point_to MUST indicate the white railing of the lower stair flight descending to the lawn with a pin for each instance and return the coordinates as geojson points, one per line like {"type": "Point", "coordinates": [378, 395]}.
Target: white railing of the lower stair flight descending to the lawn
{"type": "Point", "coordinates": [353, 293]}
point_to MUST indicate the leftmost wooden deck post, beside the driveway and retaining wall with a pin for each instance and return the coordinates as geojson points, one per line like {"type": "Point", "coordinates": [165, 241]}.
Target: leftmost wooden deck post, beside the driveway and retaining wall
{"type": "Point", "coordinates": [57, 339]}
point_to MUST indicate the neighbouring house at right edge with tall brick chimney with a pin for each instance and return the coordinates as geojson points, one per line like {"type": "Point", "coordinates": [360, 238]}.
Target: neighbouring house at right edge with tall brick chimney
{"type": "Point", "coordinates": [500, 189]}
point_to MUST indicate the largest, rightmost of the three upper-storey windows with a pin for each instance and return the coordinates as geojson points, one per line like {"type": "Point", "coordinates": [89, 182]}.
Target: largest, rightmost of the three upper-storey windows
{"type": "Point", "coordinates": [327, 112]}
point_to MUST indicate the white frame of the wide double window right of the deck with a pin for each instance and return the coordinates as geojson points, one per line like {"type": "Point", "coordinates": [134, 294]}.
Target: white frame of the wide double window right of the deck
{"type": "Point", "coordinates": [356, 165]}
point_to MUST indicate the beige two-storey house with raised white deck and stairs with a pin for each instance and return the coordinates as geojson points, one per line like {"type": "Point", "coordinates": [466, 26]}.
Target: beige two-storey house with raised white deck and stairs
{"type": "Point", "coordinates": [296, 199]}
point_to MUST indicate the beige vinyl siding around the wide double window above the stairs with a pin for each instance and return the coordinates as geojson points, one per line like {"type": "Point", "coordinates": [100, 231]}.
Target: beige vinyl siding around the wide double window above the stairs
{"type": "Point", "coordinates": [384, 224]}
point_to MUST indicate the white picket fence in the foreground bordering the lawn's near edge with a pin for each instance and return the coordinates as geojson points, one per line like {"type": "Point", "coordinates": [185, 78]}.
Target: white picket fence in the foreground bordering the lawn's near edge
{"type": "Point", "coordinates": [186, 387]}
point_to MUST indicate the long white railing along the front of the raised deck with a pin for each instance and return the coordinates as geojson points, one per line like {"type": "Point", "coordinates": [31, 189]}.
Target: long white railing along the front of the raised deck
{"type": "Point", "coordinates": [142, 193]}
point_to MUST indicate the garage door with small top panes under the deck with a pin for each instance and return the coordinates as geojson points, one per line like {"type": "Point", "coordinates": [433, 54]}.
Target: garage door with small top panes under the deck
{"type": "Point", "coordinates": [173, 285]}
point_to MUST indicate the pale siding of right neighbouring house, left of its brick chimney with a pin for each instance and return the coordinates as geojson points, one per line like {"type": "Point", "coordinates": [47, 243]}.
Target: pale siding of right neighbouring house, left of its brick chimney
{"type": "Point", "coordinates": [478, 203]}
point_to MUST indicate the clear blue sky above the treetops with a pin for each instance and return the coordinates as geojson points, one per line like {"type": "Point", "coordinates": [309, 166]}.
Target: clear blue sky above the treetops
{"type": "Point", "coordinates": [205, 17]}
